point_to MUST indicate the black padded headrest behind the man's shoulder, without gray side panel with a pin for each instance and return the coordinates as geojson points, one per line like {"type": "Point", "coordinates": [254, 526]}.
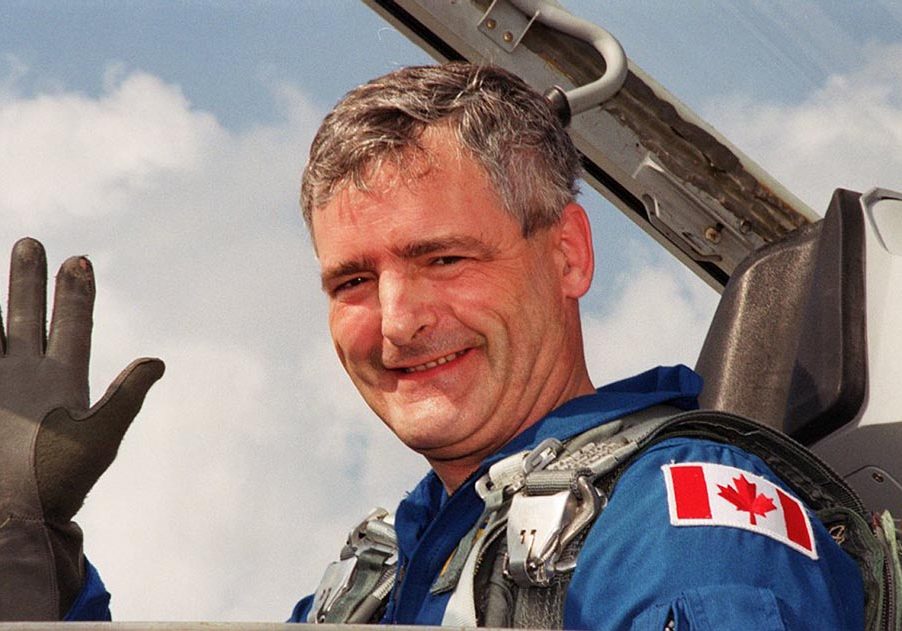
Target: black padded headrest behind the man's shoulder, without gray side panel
{"type": "Point", "coordinates": [787, 343]}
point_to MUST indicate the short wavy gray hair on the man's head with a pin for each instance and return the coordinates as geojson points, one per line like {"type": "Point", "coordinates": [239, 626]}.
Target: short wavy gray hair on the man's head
{"type": "Point", "coordinates": [501, 122]}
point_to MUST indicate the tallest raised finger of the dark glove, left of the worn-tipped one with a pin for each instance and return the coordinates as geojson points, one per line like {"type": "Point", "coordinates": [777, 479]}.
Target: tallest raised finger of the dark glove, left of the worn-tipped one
{"type": "Point", "coordinates": [27, 311]}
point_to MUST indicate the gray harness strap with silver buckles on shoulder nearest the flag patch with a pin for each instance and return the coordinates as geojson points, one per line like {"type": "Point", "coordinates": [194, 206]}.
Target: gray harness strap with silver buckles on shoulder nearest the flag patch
{"type": "Point", "coordinates": [544, 499]}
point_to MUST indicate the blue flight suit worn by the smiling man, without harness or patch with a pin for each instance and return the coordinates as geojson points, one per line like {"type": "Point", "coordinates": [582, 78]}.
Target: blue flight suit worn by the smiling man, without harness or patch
{"type": "Point", "coordinates": [635, 570]}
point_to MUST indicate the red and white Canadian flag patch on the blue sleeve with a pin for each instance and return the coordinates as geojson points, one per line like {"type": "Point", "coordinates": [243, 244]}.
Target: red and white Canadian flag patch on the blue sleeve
{"type": "Point", "coordinates": [708, 494]}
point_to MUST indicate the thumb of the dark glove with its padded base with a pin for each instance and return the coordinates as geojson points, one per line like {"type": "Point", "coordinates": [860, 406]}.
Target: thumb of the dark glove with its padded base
{"type": "Point", "coordinates": [72, 453]}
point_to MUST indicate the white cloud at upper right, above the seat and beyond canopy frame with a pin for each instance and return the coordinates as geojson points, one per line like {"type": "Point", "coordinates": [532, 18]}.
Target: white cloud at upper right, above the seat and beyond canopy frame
{"type": "Point", "coordinates": [846, 134]}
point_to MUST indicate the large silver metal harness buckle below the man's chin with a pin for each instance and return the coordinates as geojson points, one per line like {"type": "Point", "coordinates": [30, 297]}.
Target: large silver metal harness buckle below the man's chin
{"type": "Point", "coordinates": [540, 526]}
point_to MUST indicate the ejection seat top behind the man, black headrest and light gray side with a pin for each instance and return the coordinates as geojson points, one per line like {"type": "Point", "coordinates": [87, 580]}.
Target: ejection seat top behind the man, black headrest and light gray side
{"type": "Point", "coordinates": [807, 338]}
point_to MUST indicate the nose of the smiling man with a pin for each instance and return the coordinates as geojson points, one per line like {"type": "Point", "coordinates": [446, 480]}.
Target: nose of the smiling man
{"type": "Point", "coordinates": [407, 308]}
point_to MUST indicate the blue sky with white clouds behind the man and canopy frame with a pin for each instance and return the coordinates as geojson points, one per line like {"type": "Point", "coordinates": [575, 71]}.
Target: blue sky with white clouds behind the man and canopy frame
{"type": "Point", "coordinates": [165, 141]}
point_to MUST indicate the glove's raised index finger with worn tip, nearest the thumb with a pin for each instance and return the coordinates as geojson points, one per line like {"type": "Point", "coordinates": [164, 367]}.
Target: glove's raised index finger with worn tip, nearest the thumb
{"type": "Point", "coordinates": [70, 327]}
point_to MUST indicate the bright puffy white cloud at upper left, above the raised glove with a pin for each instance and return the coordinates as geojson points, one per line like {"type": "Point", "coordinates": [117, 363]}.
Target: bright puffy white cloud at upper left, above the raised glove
{"type": "Point", "coordinates": [70, 155]}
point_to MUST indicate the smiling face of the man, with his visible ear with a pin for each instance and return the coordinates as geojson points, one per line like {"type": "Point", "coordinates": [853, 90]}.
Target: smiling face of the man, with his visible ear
{"type": "Point", "coordinates": [450, 323]}
